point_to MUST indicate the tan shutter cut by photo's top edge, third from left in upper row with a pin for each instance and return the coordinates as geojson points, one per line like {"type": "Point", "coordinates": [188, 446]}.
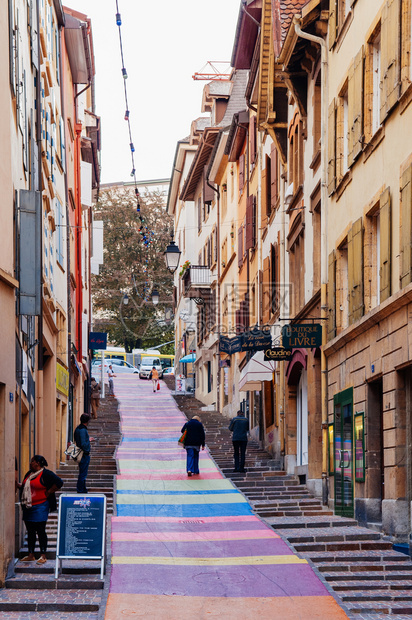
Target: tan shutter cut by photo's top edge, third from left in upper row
{"type": "Point", "coordinates": [390, 56]}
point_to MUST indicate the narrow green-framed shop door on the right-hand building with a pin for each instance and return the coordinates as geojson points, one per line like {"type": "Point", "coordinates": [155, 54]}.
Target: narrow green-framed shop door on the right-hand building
{"type": "Point", "coordinates": [343, 450]}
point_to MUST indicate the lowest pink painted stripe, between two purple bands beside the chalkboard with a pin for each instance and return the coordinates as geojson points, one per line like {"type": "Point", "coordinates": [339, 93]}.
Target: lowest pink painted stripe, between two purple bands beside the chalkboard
{"type": "Point", "coordinates": [192, 536]}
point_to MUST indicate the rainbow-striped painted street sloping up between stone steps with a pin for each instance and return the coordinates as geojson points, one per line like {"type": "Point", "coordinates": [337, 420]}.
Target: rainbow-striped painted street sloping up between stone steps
{"type": "Point", "coordinates": [193, 547]}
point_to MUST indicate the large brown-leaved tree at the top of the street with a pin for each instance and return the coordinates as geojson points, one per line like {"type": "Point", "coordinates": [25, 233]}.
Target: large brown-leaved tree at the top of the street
{"type": "Point", "coordinates": [139, 324]}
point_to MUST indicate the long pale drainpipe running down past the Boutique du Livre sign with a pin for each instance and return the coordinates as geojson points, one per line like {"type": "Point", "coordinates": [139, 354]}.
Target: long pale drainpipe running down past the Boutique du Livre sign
{"type": "Point", "coordinates": [324, 247]}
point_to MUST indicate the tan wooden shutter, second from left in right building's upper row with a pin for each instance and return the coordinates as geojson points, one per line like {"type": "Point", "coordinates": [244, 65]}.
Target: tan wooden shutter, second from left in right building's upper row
{"type": "Point", "coordinates": [355, 105]}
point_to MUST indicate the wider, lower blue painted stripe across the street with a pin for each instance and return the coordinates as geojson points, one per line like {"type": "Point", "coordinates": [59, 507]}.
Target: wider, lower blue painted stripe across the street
{"type": "Point", "coordinates": [184, 510]}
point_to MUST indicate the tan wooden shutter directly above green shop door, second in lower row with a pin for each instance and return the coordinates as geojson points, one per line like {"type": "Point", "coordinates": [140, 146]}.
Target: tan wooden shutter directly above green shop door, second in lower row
{"type": "Point", "coordinates": [355, 271]}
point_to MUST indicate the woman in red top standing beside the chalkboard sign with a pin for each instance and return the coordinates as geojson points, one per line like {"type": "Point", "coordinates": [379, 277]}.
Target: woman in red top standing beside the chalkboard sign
{"type": "Point", "coordinates": [37, 500]}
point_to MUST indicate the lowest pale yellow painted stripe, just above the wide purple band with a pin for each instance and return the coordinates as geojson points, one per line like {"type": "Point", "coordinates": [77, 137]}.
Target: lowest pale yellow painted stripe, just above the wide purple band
{"type": "Point", "coordinates": [236, 561]}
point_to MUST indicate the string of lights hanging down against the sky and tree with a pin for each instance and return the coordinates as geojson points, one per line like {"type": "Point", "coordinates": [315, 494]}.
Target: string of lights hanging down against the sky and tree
{"type": "Point", "coordinates": [146, 234]}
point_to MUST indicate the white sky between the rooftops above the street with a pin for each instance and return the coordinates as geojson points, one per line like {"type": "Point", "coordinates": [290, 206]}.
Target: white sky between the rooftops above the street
{"type": "Point", "coordinates": [165, 43]}
